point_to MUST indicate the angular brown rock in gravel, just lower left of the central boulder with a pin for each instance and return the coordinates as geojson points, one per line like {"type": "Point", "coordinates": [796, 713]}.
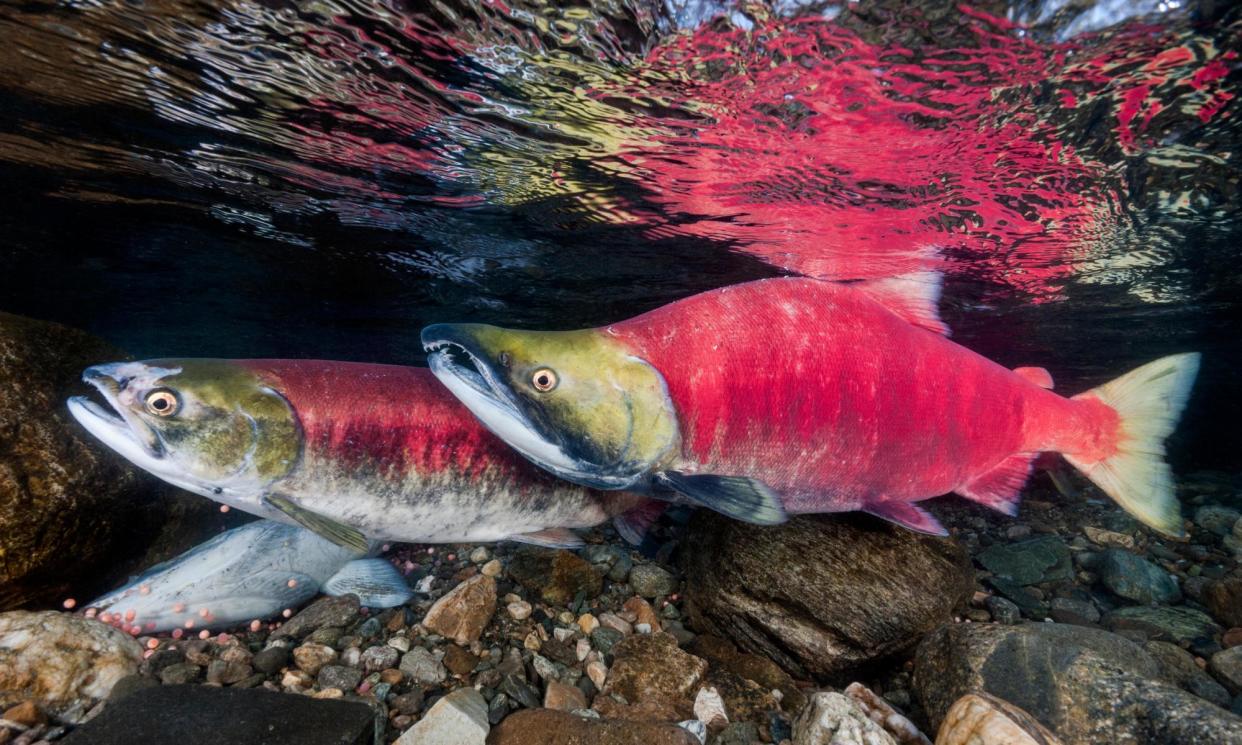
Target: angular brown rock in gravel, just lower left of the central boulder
{"type": "Point", "coordinates": [653, 669]}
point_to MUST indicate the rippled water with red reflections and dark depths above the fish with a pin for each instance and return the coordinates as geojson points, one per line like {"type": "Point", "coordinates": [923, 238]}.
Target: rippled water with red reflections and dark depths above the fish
{"type": "Point", "coordinates": [325, 178]}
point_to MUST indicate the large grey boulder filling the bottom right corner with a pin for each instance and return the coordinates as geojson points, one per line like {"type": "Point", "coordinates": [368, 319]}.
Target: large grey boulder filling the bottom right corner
{"type": "Point", "coordinates": [1085, 685]}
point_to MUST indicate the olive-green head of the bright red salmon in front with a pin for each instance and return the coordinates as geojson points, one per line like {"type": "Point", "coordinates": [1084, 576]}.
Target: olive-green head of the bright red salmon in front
{"type": "Point", "coordinates": [578, 404]}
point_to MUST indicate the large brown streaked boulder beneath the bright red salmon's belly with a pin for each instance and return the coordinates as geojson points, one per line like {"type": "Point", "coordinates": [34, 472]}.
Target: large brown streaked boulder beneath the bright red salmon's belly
{"type": "Point", "coordinates": [822, 597]}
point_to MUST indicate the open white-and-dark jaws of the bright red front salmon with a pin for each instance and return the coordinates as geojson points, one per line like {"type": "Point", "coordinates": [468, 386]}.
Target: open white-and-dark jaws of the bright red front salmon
{"type": "Point", "coordinates": [469, 376]}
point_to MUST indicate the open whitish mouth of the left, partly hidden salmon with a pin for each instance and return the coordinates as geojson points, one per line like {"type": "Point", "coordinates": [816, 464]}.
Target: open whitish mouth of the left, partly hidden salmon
{"type": "Point", "coordinates": [117, 429]}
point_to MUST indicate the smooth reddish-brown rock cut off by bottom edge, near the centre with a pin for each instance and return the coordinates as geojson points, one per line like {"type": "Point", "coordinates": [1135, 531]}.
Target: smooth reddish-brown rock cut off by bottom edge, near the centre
{"type": "Point", "coordinates": [548, 727]}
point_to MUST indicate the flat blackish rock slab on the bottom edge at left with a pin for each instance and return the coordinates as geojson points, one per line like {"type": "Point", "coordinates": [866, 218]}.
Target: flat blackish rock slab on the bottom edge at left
{"type": "Point", "coordinates": [207, 716]}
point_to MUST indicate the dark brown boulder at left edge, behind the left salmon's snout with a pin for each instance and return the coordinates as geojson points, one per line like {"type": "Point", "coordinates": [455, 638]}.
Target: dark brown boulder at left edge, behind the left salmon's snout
{"type": "Point", "coordinates": [75, 518]}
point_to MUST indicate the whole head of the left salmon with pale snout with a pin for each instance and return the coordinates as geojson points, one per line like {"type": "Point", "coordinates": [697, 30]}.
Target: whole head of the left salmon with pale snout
{"type": "Point", "coordinates": [209, 427]}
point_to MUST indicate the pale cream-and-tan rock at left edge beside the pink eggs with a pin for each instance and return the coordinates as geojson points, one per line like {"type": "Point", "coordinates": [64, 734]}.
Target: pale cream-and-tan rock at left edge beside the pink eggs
{"type": "Point", "coordinates": [65, 664]}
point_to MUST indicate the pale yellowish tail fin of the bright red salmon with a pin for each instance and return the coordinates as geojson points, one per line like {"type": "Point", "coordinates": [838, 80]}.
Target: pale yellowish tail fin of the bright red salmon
{"type": "Point", "coordinates": [1149, 402]}
